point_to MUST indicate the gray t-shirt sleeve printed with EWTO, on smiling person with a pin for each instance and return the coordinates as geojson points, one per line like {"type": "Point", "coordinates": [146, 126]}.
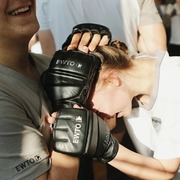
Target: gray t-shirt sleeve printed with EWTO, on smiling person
{"type": "Point", "coordinates": [23, 151]}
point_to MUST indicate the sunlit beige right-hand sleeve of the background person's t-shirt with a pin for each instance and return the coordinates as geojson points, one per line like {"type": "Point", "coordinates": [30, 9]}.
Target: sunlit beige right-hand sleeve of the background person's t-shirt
{"type": "Point", "coordinates": [149, 13]}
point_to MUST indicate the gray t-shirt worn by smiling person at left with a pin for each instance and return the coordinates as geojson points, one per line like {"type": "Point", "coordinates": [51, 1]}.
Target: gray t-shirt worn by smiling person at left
{"type": "Point", "coordinates": [23, 147]}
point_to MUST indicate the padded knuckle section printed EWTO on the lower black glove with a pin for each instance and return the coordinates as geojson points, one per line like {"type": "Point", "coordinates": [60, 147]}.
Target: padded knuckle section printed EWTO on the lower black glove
{"type": "Point", "coordinates": [68, 139]}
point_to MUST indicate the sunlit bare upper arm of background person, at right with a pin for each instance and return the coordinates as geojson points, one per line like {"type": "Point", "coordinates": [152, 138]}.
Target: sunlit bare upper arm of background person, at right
{"type": "Point", "coordinates": [152, 38]}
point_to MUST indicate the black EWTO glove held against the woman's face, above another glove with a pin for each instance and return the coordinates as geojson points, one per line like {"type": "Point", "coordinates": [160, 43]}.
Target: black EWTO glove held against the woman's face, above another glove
{"type": "Point", "coordinates": [70, 78]}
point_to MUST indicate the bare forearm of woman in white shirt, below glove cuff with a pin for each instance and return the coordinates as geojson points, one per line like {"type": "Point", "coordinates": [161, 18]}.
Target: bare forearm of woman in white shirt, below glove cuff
{"type": "Point", "coordinates": [143, 167]}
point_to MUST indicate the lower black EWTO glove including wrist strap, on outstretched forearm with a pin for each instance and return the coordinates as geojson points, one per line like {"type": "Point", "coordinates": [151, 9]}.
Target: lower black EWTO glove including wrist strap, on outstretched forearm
{"type": "Point", "coordinates": [79, 132]}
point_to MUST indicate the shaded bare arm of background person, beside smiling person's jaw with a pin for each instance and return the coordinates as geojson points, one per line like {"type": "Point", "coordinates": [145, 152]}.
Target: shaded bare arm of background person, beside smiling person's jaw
{"type": "Point", "coordinates": [47, 42]}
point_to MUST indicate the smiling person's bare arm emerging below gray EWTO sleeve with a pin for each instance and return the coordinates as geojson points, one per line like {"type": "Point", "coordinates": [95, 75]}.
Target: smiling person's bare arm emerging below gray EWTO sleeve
{"type": "Point", "coordinates": [63, 167]}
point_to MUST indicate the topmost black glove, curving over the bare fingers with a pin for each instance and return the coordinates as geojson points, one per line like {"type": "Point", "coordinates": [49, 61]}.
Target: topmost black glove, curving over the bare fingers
{"type": "Point", "coordinates": [88, 27]}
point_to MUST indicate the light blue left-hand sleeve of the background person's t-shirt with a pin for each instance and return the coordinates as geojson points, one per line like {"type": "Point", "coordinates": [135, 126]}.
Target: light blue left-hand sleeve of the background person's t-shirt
{"type": "Point", "coordinates": [42, 14]}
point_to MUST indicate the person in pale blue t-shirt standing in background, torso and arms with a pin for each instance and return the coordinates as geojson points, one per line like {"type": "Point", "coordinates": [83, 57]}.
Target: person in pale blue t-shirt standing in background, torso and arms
{"type": "Point", "coordinates": [132, 21]}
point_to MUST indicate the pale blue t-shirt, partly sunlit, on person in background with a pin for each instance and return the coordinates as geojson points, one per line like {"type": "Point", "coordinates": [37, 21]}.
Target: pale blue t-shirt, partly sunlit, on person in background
{"type": "Point", "coordinates": [123, 17]}
